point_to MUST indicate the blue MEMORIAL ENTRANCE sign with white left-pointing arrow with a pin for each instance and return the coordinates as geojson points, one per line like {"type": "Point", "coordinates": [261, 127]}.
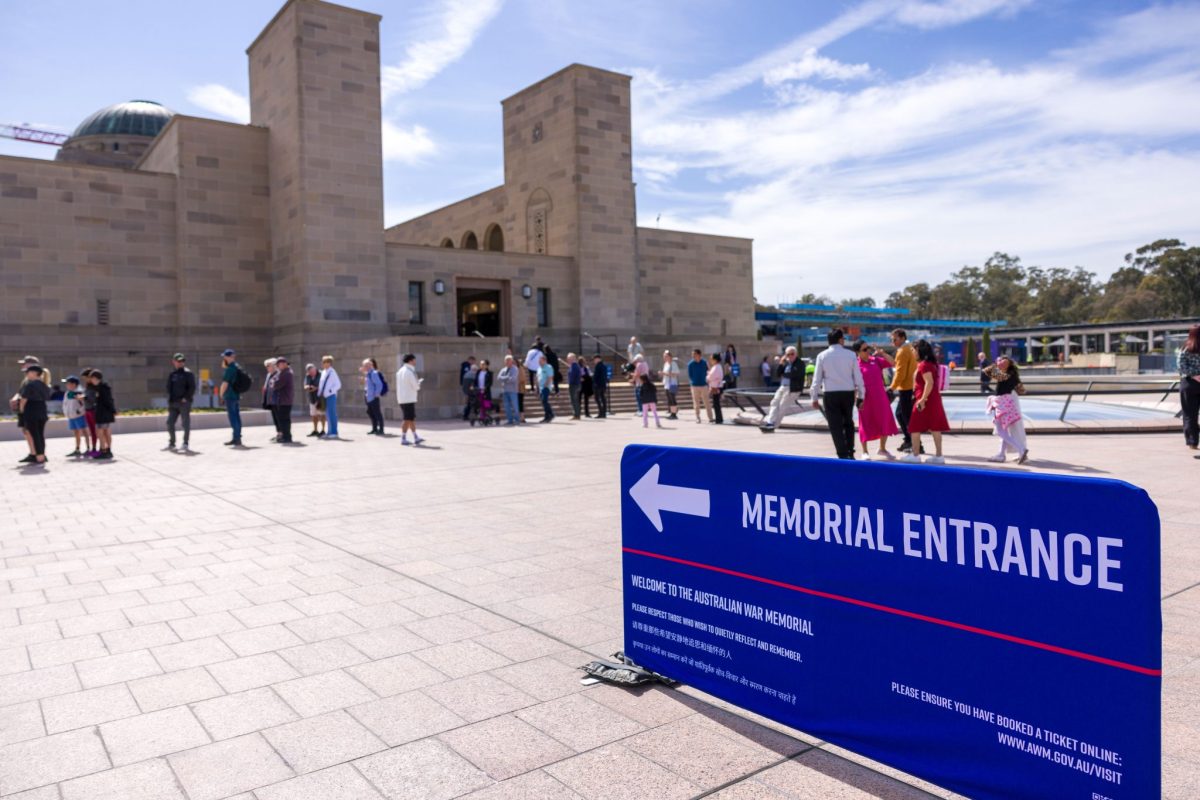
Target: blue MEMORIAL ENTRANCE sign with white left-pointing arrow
{"type": "Point", "coordinates": [997, 634]}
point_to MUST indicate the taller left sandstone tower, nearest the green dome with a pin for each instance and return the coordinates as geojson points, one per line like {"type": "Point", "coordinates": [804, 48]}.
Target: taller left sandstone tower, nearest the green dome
{"type": "Point", "coordinates": [315, 86]}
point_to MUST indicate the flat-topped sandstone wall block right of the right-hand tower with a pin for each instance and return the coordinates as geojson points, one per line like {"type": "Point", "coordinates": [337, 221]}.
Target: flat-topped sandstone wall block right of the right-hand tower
{"type": "Point", "coordinates": [695, 286]}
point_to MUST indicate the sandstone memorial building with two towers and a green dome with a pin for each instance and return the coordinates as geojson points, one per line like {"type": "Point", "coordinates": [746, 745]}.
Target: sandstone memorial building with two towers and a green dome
{"type": "Point", "coordinates": [155, 232]}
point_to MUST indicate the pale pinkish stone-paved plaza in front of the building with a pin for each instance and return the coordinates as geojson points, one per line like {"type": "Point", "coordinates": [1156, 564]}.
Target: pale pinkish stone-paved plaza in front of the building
{"type": "Point", "coordinates": [357, 621]}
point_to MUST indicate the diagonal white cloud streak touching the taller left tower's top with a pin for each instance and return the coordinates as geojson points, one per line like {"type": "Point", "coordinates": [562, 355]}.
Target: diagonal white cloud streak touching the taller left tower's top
{"type": "Point", "coordinates": [442, 37]}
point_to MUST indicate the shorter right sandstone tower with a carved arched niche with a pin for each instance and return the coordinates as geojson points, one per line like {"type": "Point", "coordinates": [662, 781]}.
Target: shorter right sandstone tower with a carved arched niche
{"type": "Point", "coordinates": [568, 164]}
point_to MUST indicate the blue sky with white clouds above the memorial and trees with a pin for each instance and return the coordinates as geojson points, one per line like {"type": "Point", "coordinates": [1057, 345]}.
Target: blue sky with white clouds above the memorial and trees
{"type": "Point", "coordinates": [863, 146]}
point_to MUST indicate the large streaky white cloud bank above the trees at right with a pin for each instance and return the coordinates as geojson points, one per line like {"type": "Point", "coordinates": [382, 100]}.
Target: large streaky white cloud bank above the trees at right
{"type": "Point", "coordinates": [1077, 159]}
